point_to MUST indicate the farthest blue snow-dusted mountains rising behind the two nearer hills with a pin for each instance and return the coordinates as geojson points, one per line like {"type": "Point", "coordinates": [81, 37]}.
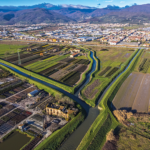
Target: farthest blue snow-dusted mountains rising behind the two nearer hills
{"type": "Point", "coordinates": [77, 12]}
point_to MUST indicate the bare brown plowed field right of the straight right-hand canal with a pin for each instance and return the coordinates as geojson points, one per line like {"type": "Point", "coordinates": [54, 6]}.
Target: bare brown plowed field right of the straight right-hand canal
{"type": "Point", "coordinates": [134, 94]}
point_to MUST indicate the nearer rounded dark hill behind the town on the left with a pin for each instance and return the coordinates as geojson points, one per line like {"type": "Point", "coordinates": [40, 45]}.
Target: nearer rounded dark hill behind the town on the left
{"type": "Point", "coordinates": [33, 16]}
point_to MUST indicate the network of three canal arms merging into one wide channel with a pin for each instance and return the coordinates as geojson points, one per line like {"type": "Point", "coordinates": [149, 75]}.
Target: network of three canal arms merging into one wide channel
{"type": "Point", "coordinates": [74, 140]}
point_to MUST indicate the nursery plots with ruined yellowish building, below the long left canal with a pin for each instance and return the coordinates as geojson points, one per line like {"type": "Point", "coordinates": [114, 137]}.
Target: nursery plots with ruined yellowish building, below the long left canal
{"type": "Point", "coordinates": [24, 115]}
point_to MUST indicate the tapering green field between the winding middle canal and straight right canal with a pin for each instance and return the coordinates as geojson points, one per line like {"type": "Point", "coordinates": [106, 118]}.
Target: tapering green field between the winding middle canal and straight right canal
{"type": "Point", "coordinates": [110, 61]}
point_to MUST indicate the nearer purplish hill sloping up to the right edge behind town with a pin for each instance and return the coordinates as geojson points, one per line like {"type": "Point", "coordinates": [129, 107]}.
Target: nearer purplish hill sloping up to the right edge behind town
{"type": "Point", "coordinates": [134, 14]}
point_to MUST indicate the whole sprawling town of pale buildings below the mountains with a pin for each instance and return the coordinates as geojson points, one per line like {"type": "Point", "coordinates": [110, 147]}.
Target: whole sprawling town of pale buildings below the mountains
{"type": "Point", "coordinates": [112, 34]}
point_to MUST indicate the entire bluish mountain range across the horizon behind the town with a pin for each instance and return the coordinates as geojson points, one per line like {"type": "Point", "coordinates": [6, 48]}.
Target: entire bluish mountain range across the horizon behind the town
{"type": "Point", "coordinates": [48, 13]}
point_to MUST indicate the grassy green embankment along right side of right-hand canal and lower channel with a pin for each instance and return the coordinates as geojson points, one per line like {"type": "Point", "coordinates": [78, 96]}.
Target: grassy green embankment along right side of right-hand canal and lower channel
{"type": "Point", "coordinates": [96, 128]}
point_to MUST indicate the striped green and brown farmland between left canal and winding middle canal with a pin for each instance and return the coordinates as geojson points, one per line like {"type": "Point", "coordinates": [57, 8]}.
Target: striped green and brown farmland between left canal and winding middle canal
{"type": "Point", "coordinates": [53, 61]}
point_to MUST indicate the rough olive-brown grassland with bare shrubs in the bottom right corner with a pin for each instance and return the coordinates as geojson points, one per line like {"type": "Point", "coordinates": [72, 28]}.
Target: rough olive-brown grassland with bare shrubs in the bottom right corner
{"type": "Point", "coordinates": [137, 135]}
